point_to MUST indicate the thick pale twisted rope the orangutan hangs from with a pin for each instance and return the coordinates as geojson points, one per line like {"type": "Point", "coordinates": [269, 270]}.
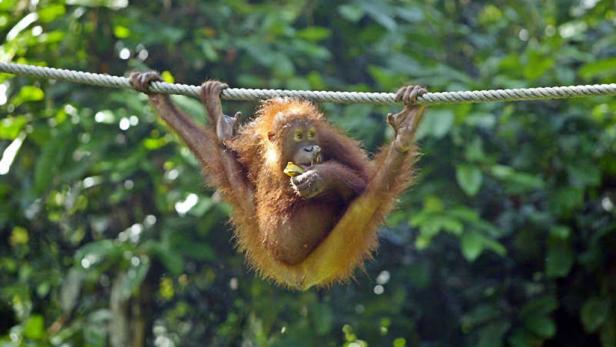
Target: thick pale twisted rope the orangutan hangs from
{"type": "Point", "coordinates": [319, 96]}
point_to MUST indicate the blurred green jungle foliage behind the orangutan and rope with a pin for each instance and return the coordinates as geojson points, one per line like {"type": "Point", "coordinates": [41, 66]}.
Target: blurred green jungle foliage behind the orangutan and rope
{"type": "Point", "coordinates": [108, 236]}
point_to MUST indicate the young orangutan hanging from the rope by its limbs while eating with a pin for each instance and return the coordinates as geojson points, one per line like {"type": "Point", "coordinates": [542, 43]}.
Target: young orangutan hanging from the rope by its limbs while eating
{"type": "Point", "coordinates": [306, 199]}
